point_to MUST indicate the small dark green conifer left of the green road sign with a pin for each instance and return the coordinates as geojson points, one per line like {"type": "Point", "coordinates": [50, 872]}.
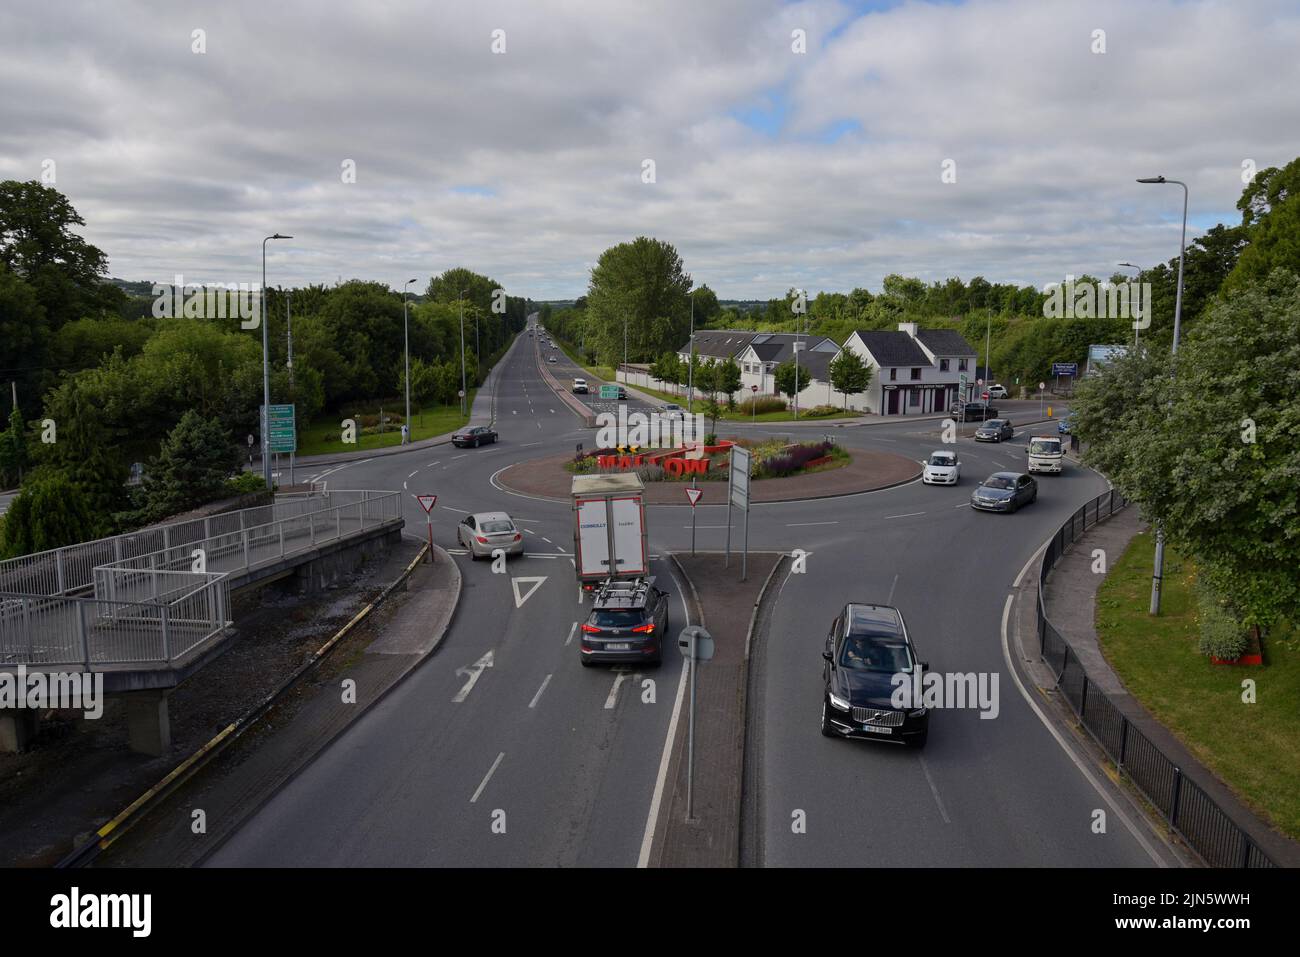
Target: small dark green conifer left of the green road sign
{"type": "Point", "coordinates": [192, 467]}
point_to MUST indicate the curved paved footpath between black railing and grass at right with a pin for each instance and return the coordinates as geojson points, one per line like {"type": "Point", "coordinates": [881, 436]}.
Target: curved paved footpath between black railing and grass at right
{"type": "Point", "coordinates": [1071, 600]}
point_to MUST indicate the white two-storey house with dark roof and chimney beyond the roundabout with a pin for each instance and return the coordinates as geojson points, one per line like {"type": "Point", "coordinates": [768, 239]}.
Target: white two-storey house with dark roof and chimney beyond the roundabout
{"type": "Point", "coordinates": [915, 371]}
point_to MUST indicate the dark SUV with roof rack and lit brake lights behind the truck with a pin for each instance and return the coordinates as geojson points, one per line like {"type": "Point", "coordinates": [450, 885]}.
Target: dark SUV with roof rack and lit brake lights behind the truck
{"type": "Point", "coordinates": [627, 625]}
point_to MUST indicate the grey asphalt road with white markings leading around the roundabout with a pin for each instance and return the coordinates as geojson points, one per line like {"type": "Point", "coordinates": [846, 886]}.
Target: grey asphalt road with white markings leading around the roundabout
{"type": "Point", "coordinates": [571, 756]}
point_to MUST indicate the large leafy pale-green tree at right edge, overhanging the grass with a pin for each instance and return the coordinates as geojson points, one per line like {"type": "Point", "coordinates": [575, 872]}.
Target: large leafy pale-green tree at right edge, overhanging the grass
{"type": "Point", "coordinates": [1210, 448]}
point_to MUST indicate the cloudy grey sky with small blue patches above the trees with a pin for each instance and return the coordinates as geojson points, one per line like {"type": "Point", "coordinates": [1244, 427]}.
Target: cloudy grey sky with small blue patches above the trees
{"type": "Point", "coordinates": [773, 168]}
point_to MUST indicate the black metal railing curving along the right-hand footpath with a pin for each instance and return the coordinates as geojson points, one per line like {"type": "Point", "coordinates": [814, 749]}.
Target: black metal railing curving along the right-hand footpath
{"type": "Point", "coordinates": [1186, 808]}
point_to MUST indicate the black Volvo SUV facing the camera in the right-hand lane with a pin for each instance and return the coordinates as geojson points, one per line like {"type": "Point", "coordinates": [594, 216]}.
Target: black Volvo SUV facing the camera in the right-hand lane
{"type": "Point", "coordinates": [866, 648]}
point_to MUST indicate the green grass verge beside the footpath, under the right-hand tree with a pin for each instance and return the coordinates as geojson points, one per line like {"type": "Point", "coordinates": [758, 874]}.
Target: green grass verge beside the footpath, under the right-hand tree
{"type": "Point", "coordinates": [1255, 750]}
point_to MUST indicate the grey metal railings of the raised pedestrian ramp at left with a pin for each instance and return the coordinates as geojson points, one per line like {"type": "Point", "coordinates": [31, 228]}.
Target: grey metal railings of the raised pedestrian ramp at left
{"type": "Point", "coordinates": [154, 607]}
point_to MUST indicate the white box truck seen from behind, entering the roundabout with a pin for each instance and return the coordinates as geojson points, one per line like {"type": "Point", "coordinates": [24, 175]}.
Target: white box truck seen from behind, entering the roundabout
{"type": "Point", "coordinates": [609, 529]}
